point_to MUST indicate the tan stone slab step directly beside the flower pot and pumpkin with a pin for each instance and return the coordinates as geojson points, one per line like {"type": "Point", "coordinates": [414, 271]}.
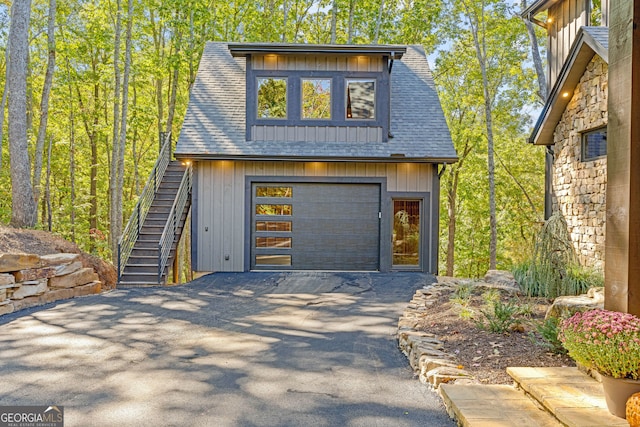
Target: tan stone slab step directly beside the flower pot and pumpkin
{"type": "Point", "coordinates": [575, 398]}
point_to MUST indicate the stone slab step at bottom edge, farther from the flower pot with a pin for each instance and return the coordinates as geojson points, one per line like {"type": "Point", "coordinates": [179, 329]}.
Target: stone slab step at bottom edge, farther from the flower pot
{"type": "Point", "coordinates": [476, 405]}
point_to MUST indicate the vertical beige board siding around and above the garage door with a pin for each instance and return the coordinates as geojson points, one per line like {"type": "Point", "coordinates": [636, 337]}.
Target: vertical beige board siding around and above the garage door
{"type": "Point", "coordinates": [219, 194]}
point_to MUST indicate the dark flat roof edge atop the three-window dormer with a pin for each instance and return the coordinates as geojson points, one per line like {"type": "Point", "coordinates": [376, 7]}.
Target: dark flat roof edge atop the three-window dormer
{"type": "Point", "coordinates": [244, 49]}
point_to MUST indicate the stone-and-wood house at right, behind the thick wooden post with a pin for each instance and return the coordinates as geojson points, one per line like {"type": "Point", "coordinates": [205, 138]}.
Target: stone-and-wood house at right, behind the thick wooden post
{"type": "Point", "coordinates": [573, 121]}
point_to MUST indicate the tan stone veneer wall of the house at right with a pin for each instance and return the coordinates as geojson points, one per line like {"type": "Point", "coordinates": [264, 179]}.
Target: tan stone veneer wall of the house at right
{"type": "Point", "coordinates": [580, 187]}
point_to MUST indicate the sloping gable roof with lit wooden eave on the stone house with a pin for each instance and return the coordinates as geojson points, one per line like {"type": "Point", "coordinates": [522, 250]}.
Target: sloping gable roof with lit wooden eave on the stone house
{"type": "Point", "coordinates": [589, 41]}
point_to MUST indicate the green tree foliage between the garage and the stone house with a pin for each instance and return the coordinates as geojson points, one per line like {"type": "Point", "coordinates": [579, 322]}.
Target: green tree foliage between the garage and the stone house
{"type": "Point", "coordinates": [519, 173]}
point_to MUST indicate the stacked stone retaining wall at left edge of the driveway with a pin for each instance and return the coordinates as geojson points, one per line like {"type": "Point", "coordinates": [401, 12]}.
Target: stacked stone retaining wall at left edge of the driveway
{"type": "Point", "coordinates": [28, 280]}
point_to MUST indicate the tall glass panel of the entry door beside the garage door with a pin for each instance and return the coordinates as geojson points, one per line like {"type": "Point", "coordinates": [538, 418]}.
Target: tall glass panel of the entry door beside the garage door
{"type": "Point", "coordinates": [406, 232]}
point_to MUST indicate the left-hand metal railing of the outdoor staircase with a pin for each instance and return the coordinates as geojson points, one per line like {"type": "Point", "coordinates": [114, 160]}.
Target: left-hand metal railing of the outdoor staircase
{"type": "Point", "coordinates": [132, 230]}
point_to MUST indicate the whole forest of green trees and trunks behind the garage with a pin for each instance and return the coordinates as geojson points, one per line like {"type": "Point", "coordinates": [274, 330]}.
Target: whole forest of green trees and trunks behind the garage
{"type": "Point", "coordinates": [101, 79]}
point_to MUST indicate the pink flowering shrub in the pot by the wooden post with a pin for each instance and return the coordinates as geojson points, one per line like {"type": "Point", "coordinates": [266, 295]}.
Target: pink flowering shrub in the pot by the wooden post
{"type": "Point", "coordinates": [607, 341]}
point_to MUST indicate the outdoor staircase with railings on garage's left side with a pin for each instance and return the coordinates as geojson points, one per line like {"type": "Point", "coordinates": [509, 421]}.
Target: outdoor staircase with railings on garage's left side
{"type": "Point", "coordinates": [148, 244]}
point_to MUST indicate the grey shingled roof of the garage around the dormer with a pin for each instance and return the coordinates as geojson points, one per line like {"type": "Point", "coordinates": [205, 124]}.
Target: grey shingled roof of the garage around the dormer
{"type": "Point", "coordinates": [214, 124]}
